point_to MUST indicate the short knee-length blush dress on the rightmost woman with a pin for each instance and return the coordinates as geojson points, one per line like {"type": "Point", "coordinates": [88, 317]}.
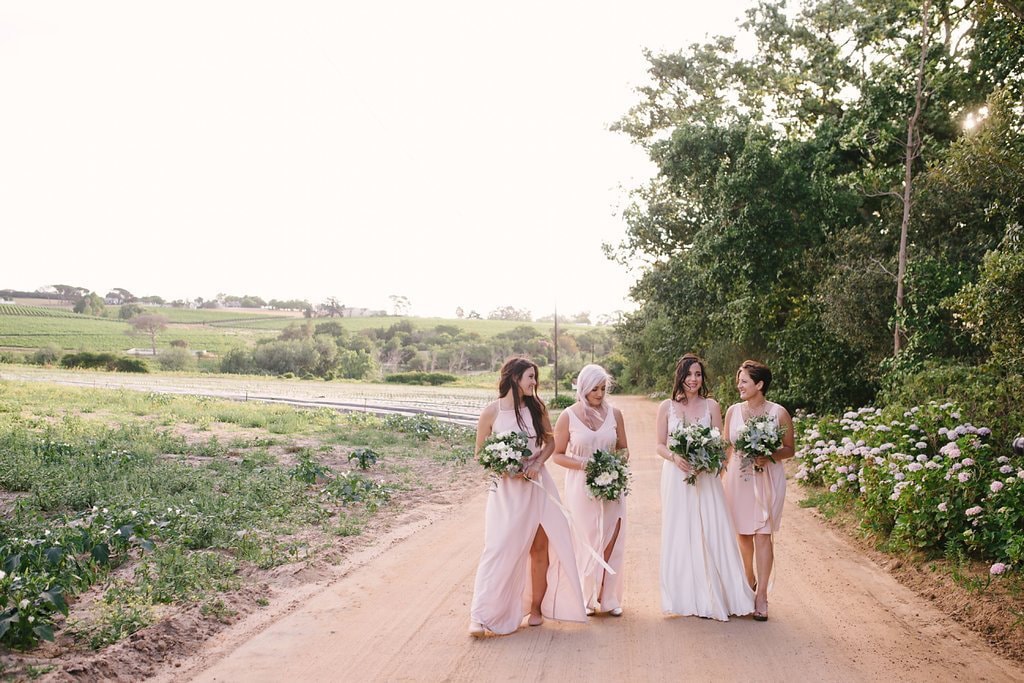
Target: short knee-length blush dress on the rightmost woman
{"type": "Point", "coordinates": [755, 499]}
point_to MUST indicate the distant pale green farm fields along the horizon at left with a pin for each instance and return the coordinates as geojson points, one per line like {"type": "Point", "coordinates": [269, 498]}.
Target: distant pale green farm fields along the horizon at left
{"type": "Point", "coordinates": [29, 328]}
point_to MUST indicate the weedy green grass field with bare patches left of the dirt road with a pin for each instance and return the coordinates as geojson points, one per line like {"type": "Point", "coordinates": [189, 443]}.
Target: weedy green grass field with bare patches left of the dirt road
{"type": "Point", "coordinates": [120, 509]}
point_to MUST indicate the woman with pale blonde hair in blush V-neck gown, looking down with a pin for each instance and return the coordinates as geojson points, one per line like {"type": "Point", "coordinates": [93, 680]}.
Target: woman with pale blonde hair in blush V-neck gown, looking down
{"type": "Point", "coordinates": [592, 424]}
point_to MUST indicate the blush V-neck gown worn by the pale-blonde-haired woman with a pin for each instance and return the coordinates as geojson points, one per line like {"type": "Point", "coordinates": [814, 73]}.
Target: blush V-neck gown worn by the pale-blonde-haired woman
{"type": "Point", "coordinates": [595, 521]}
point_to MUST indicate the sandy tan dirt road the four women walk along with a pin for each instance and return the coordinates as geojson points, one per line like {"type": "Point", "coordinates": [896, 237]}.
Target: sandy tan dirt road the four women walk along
{"type": "Point", "coordinates": [402, 616]}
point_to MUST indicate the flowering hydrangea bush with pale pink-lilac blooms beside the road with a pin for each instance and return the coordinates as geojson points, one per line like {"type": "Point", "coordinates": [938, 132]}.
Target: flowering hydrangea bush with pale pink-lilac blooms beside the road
{"type": "Point", "coordinates": [923, 478]}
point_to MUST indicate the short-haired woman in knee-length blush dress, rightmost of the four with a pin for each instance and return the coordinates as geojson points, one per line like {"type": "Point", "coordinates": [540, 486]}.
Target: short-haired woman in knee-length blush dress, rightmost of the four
{"type": "Point", "coordinates": [756, 491]}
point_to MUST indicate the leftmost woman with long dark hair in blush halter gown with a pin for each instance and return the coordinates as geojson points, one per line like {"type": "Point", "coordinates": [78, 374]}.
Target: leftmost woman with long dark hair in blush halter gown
{"type": "Point", "coordinates": [528, 566]}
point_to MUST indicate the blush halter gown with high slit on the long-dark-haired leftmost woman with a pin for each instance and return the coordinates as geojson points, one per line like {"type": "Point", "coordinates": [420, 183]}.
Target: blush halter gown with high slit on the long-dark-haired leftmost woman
{"type": "Point", "coordinates": [516, 508]}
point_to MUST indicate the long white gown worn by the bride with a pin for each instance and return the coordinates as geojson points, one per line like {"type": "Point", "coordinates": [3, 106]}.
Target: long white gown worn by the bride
{"type": "Point", "coordinates": [702, 570]}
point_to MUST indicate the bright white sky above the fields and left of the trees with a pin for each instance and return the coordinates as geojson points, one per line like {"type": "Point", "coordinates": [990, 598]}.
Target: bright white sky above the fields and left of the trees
{"type": "Point", "coordinates": [455, 153]}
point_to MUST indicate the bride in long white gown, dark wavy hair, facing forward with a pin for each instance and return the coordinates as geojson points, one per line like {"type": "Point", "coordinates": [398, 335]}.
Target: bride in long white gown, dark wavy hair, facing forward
{"type": "Point", "coordinates": [702, 571]}
